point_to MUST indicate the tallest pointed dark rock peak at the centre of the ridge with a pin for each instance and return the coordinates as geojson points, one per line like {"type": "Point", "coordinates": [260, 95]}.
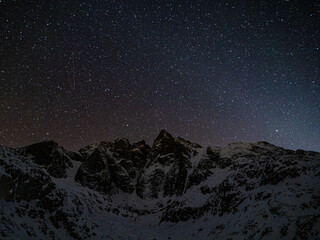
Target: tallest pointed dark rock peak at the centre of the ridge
{"type": "Point", "coordinates": [167, 168]}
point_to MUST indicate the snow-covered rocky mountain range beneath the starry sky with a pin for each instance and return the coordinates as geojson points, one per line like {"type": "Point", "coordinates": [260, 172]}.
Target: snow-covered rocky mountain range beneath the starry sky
{"type": "Point", "coordinates": [173, 189]}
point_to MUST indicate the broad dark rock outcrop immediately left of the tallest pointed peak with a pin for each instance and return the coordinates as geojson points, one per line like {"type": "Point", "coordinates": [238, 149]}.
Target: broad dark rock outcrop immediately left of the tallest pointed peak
{"type": "Point", "coordinates": [110, 166]}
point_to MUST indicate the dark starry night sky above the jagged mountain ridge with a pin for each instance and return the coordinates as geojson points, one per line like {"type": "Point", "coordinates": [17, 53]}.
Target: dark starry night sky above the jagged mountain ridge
{"type": "Point", "coordinates": [213, 72]}
